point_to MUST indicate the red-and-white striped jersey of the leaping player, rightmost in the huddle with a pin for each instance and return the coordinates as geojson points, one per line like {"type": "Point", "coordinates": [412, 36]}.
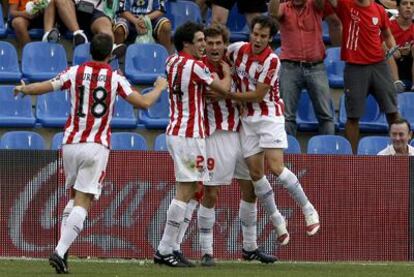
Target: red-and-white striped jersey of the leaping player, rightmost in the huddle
{"type": "Point", "coordinates": [250, 69]}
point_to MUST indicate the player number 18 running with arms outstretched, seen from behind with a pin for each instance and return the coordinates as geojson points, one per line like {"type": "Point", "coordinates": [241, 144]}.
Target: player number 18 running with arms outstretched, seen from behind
{"type": "Point", "coordinates": [93, 87]}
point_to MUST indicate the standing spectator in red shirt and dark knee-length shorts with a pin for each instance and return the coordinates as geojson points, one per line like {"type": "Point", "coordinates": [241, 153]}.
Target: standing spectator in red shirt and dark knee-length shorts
{"type": "Point", "coordinates": [365, 27]}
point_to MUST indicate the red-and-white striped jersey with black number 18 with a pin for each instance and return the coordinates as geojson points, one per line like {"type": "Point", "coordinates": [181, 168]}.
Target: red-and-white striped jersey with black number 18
{"type": "Point", "coordinates": [93, 88]}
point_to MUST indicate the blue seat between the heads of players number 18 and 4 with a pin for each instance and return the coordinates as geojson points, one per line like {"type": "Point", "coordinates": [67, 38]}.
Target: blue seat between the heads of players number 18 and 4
{"type": "Point", "coordinates": [145, 62]}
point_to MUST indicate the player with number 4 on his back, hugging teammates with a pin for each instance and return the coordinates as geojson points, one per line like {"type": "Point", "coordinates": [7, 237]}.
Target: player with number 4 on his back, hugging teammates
{"type": "Point", "coordinates": [188, 78]}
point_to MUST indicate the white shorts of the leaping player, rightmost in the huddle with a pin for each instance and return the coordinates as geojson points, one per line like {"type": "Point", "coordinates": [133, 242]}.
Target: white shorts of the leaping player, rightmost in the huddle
{"type": "Point", "coordinates": [258, 133]}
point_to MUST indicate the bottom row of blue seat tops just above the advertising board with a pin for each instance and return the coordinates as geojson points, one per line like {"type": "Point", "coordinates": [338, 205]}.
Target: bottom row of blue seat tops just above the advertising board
{"type": "Point", "coordinates": [320, 144]}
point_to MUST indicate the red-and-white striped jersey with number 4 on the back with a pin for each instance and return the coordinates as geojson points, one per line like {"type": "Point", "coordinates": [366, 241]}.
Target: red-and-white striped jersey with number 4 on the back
{"type": "Point", "coordinates": [187, 79]}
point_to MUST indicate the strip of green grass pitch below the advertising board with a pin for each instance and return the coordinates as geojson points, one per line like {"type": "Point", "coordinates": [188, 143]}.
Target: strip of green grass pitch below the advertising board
{"type": "Point", "coordinates": [121, 268]}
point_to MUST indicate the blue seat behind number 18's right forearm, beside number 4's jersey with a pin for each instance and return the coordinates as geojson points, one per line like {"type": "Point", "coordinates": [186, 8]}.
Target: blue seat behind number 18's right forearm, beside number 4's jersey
{"type": "Point", "coordinates": [156, 116]}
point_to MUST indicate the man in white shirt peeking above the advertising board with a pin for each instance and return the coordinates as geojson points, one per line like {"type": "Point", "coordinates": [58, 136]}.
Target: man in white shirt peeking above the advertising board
{"type": "Point", "coordinates": [400, 134]}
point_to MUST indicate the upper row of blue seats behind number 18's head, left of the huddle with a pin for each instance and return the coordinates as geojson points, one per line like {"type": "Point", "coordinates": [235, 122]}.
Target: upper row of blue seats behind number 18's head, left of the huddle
{"type": "Point", "coordinates": [42, 61]}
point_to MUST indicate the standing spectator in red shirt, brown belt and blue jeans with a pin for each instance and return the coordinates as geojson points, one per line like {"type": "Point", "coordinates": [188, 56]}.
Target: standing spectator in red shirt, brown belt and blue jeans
{"type": "Point", "coordinates": [302, 55]}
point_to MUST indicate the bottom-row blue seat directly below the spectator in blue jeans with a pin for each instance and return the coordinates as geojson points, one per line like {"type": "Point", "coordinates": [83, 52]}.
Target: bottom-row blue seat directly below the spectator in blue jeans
{"type": "Point", "coordinates": [329, 144]}
